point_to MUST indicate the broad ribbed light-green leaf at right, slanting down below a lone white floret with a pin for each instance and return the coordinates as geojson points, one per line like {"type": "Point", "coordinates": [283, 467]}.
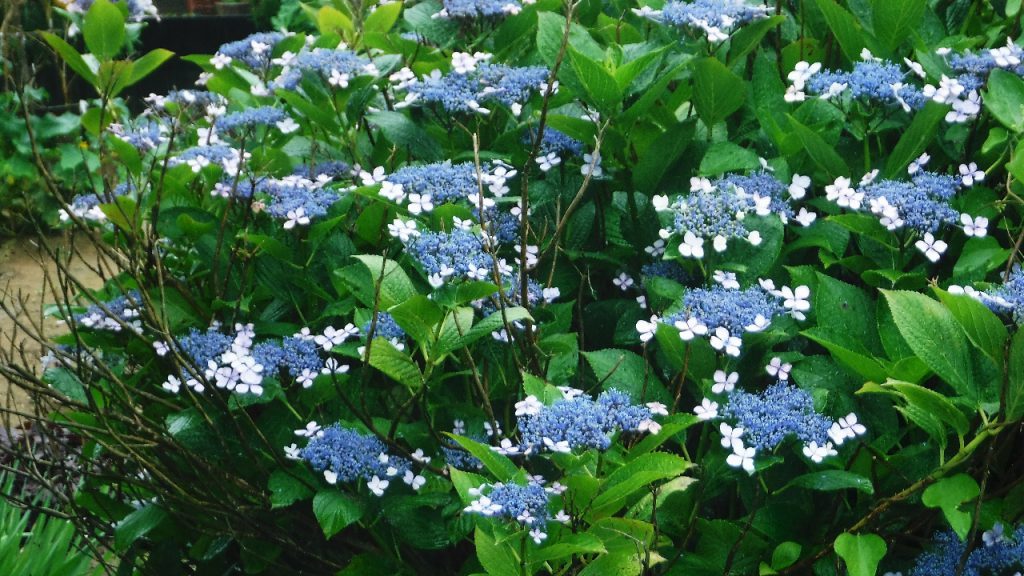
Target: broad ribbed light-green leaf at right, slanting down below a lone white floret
{"type": "Point", "coordinates": [934, 336]}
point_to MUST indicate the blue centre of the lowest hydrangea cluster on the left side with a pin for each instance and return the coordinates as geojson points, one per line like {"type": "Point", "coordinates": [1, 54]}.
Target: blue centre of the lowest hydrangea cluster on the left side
{"type": "Point", "coordinates": [352, 456]}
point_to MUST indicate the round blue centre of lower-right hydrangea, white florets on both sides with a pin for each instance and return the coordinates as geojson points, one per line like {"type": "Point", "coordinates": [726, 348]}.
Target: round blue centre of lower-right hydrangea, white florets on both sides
{"type": "Point", "coordinates": [777, 414]}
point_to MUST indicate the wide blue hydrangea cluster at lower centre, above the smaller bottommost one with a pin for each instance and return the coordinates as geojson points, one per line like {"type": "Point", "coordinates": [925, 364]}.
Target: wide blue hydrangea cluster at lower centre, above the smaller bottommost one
{"type": "Point", "coordinates": [578, 422]}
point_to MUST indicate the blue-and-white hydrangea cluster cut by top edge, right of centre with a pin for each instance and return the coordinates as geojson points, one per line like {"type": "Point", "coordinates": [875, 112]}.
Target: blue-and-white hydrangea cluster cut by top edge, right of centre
{"type": "Point", "coordinates": [716, 19]}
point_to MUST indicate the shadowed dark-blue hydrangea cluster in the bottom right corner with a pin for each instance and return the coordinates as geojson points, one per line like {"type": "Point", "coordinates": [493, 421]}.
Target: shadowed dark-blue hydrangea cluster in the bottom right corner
{"type": "Point", "coordinates": [1000, 555]}
